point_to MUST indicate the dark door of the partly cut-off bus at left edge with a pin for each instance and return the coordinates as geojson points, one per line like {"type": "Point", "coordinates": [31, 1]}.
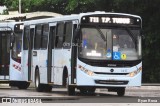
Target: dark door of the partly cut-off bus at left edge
{"type": "Point", "coordinates": [4, 55]}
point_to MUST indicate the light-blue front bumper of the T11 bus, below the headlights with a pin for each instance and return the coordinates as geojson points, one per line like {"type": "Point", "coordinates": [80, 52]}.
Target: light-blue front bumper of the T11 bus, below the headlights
{"type": "Point", "coordinates": [84, 79]}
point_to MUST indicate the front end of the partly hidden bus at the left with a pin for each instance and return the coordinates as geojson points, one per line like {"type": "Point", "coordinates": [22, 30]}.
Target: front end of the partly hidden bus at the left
{"type": "Point", "coordinates": [17, 77]}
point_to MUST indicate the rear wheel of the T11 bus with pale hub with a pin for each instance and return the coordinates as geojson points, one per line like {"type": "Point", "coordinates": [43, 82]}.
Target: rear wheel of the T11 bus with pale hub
{"type": "Point", "coordinates": [38, 86]}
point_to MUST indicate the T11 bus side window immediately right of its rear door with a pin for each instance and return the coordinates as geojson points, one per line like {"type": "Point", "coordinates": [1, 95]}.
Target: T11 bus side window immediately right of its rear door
{"type": "Point", "coordinates": [37, 38]}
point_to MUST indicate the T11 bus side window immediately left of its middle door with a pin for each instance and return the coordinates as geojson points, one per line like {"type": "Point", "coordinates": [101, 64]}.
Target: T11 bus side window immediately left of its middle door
{"type": "Point", "coordinates": [44, 38]}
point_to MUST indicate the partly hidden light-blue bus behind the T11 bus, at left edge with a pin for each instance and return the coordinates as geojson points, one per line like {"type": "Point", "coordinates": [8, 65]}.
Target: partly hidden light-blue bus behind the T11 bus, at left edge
{"type": "Point", "coordinates": [10, 49]}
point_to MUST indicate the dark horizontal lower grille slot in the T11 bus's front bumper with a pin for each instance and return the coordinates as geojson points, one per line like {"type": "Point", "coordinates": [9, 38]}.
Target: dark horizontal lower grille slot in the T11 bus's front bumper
{"type": "Point", "coordinates": [111, 82]}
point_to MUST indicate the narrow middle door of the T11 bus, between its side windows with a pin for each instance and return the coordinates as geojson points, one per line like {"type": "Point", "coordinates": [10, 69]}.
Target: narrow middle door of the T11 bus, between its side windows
{"type": "Point", "coordinates": [50, 70]}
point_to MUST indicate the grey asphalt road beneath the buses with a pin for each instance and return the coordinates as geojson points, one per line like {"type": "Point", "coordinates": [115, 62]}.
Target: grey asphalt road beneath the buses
{"type": "Point", "coordinates": [144, 94]}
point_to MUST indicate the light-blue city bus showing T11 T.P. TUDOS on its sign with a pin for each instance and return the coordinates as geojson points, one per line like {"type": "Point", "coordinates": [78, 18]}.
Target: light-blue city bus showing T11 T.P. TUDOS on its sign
{"type": "Point", "coordinates": [84, 51]}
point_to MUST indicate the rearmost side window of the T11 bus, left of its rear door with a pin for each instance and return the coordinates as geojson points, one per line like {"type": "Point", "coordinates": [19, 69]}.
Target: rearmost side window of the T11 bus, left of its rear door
{"type": "Point", "coordinates": [25, 38]}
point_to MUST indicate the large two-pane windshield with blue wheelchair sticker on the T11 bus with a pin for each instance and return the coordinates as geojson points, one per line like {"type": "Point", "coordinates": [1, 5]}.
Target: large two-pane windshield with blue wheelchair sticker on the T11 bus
{"type": "Point", "coordinates": [117, 44]}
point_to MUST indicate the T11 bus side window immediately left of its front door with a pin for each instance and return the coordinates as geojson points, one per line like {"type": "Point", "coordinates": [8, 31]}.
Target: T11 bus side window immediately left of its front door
{"type": "Point", "coordinates": [68, 35]}
